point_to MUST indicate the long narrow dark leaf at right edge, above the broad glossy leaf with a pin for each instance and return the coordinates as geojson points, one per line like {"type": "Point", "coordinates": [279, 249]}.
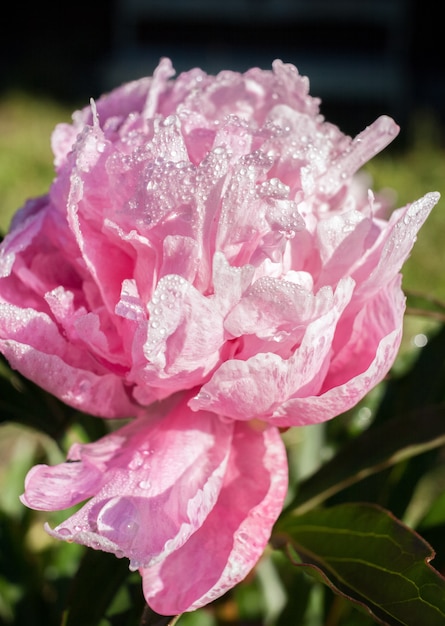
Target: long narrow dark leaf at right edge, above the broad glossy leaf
{"type": "Point", "coordinates": [374, 450]}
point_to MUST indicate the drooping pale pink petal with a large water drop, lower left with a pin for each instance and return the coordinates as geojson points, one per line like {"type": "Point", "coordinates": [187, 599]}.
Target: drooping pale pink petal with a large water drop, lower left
{"type": "Point", "coordinates": [152, 484]}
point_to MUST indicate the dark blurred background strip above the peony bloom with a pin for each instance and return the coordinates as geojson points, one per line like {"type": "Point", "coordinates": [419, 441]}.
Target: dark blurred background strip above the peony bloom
{"type": "Point", "coordinates": [363, 57]}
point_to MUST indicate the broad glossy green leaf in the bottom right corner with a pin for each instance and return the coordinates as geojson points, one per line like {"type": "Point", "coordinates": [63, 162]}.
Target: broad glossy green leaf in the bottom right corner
{"type": "Point", "coordinates": [365, 554]}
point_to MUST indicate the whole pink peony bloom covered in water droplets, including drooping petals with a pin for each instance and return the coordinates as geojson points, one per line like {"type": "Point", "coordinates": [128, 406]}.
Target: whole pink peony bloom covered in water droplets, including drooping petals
{"type": "Point", "coordinates": [207, 263]}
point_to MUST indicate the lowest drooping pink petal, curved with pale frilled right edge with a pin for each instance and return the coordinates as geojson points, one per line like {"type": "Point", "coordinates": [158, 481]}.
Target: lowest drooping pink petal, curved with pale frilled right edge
{"type": "Point", "coordinates": [233, 537]}
